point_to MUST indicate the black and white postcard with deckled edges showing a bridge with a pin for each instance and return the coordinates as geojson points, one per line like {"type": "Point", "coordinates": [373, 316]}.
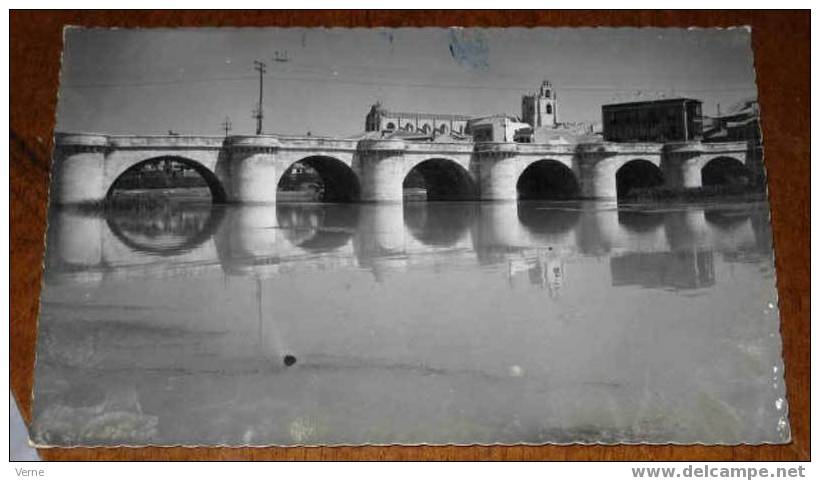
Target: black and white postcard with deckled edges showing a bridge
{"type": "Point", "coordinates": [408, 236]}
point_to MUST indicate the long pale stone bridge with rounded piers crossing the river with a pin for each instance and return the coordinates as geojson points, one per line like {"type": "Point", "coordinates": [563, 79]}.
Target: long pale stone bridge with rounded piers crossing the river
{"type": "Point", "coordinates": [247, 169]}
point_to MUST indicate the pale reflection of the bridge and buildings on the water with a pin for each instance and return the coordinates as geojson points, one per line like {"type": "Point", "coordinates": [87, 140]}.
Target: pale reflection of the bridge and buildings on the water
{"type": "Point", "coordinates": [650, 247]}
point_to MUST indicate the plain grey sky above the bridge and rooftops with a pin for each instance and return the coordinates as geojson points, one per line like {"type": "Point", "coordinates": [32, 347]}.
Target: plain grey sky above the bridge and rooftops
{"type": "Point", "coordinates": [150, 81]}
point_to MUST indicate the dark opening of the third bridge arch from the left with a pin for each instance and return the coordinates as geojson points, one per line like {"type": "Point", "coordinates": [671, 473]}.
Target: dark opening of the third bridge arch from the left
{"type": "Point", "coordinates": [442, 179]}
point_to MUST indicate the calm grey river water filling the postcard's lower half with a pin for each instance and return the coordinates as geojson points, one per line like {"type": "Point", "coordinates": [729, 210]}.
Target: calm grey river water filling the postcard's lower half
{"type": "Point", "coordinates": [192, 324]}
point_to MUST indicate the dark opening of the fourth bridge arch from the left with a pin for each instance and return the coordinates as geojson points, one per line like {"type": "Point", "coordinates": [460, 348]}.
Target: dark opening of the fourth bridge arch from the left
{"type": "Point", "coordinates": [547, 179]}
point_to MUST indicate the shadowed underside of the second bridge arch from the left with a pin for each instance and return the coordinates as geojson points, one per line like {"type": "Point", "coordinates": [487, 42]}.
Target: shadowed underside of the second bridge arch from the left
{"type": "Point", "coordinates": [339, 183]}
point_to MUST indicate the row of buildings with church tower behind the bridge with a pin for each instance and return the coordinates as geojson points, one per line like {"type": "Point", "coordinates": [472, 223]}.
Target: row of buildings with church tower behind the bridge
{"type": "Point", "coordinates": [664, 120]}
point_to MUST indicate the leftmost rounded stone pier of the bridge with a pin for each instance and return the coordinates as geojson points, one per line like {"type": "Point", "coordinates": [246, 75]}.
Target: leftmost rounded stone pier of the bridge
{"type": "Point", "coordinates": [79, 169]}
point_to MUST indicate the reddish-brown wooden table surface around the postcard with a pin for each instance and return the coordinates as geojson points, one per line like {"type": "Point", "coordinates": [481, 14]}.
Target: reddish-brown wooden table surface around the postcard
{"type": "Point", "coordinates": [781, 42]}
